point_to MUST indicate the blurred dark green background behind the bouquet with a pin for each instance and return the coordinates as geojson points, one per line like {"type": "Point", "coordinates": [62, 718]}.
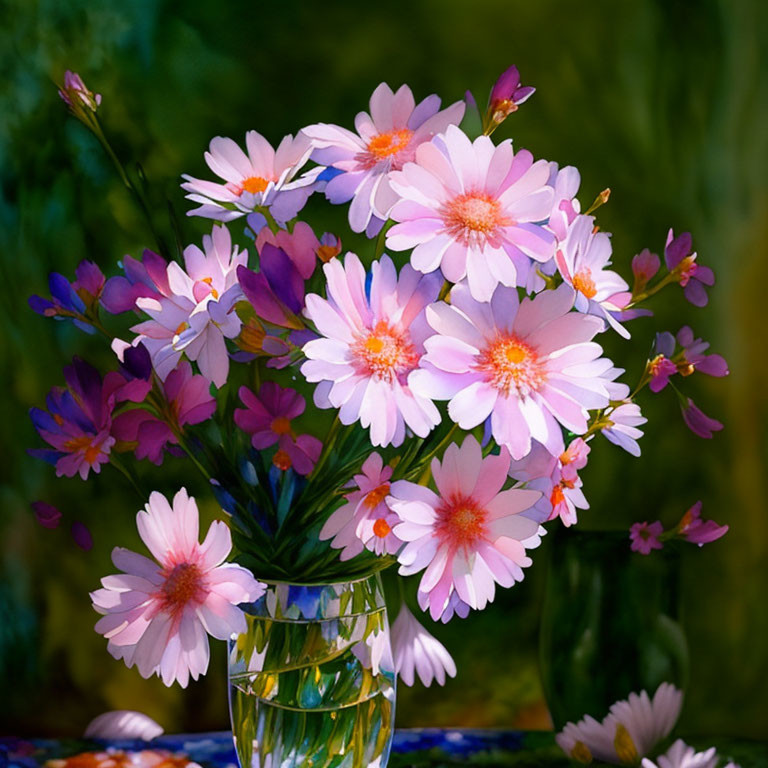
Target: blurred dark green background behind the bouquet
{"type": "Point", "coordinates": [664, 101]}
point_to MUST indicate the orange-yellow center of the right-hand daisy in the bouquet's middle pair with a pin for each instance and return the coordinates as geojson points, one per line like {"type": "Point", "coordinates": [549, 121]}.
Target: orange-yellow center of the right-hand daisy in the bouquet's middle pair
{"type": "Point", "coordinates": [511, 365]}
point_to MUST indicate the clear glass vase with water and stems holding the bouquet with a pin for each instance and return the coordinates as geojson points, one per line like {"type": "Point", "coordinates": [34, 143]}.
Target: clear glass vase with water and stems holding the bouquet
{"type": "Point", "coordinates": [311, 683]}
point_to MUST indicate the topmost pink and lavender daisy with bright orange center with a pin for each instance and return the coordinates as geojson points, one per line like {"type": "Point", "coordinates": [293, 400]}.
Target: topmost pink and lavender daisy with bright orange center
{"type": "Point", "coordinates": [385, 140]}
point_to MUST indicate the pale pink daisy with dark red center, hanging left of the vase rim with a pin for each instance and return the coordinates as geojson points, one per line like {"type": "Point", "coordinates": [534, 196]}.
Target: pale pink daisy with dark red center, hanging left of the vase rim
{"type": "Point", "coordinates": [156, 616]}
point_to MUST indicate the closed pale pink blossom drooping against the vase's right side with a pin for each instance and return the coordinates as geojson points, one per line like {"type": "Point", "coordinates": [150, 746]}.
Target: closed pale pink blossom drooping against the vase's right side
{"type": "Point", "coordinates": [417, 652]}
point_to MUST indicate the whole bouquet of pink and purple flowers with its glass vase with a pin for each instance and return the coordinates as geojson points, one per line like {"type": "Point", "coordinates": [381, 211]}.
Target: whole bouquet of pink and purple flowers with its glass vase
{"type": "Point", "coordinates": [426, 404]}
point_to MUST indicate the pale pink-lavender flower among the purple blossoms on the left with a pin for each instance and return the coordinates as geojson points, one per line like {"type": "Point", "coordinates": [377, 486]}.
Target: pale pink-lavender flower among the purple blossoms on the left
{"type": "Point", "coordinates": [199, 312]}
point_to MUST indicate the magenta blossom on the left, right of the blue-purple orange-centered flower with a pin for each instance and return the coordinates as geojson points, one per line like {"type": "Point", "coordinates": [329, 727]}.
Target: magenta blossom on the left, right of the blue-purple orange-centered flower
{"type": "Point", "coordinates": [188, 400]}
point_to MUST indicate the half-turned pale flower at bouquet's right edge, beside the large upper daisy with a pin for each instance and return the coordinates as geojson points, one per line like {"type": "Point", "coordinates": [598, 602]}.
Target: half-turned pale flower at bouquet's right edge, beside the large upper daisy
{"type": "Point", "coordinates": [583, 260]}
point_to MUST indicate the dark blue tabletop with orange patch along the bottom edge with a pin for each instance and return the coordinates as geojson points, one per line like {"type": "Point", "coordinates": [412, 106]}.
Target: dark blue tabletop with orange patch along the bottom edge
{"type": "Point", "coordinates": [412, 748]}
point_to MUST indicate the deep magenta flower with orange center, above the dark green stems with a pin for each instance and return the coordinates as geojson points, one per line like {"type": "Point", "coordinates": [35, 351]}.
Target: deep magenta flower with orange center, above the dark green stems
{"type": "Point", "coordinates": [267, 418]}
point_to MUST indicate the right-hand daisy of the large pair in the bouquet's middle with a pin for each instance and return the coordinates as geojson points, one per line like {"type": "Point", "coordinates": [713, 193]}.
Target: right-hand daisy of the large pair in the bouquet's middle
{"type": "Point", "coordinates": [529, 366]}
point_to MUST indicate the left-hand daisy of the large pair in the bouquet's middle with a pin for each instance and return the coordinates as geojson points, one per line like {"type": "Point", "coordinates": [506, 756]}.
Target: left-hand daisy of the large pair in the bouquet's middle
{"type": "Point", "coordinates": [370, 346]}
